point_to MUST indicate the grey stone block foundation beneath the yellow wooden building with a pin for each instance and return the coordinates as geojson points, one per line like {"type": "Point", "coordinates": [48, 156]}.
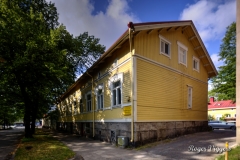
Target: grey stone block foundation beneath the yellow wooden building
{"type": "Point", "coordinates": [144, 132]}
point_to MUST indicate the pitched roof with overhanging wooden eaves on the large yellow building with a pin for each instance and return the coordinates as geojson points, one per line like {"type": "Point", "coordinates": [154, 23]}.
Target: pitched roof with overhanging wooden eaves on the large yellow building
{"type": "Point", "coordinates": [187, 27]}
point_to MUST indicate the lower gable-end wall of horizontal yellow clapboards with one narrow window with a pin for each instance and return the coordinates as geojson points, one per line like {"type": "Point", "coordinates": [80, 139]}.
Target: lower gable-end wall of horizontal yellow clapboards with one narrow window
{"type": "Point", "coordinates": [162, 95]}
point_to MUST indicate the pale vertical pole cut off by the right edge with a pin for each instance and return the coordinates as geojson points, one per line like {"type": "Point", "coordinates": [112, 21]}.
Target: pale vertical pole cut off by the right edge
{"type": "Point", "coordinates": [238, 72]}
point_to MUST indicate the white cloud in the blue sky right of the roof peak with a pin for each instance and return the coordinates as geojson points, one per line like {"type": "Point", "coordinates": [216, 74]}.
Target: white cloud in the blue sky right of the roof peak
{"type": "Point", "coordinates": [211, 17]}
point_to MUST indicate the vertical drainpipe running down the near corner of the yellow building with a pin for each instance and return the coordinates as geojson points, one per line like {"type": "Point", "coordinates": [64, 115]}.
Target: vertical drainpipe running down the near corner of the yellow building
{"type": "Point", "coordinates": [130, 30]}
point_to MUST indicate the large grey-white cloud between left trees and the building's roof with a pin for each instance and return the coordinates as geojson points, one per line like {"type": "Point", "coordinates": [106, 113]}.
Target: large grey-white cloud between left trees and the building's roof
{"type": "Point", "coordinates": [77, 16]}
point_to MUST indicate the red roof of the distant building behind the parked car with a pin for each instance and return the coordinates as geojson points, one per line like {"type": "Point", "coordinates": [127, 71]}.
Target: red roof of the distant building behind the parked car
{"type": "Point", "coordinates": [224, 104]}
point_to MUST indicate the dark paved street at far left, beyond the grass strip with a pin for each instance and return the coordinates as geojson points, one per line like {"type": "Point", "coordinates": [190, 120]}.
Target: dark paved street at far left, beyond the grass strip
{"type": "Point", "coordinates": [8, 141]}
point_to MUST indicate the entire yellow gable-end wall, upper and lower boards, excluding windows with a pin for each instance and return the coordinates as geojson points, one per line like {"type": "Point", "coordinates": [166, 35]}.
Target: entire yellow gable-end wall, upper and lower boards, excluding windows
{"type": "Point", "coordinates": [162, 81]}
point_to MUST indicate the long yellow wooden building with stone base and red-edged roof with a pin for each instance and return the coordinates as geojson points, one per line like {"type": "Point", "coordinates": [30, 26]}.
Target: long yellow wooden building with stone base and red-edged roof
{"type": "Point", "coordinates": [151, 83]}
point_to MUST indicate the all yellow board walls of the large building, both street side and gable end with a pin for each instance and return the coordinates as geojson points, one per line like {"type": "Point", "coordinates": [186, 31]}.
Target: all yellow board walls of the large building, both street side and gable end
{"type": "Point", "coordinates": [161, 82]}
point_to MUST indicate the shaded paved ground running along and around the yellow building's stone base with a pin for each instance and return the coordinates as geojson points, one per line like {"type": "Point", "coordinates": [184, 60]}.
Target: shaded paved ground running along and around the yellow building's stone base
{"type": "Point", "coordinates": [177, 148]}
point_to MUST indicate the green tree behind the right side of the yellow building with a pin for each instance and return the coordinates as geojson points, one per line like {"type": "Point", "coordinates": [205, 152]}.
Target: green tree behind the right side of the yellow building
{"type": "Point", "coordinates": [225, 82]}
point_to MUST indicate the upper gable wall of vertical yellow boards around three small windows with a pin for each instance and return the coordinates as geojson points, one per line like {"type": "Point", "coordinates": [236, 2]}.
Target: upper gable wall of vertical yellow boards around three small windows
{"type": "Point", "coordinates": [148, 45]}
